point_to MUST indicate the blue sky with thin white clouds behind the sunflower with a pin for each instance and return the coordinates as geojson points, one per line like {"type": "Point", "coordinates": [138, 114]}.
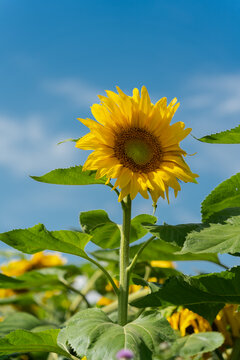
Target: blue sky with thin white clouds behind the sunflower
{"type": "Point", "coordinates": [57, 56]}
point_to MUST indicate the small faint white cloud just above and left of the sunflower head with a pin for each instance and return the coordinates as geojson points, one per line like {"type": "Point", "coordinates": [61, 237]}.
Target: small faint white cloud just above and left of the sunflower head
{"type": "Point", "coordinates": [76, 91]}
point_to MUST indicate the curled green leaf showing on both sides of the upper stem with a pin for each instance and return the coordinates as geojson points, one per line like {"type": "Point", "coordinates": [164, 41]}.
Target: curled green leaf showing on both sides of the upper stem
{"type": "Point", "coordinates": [106, 233]}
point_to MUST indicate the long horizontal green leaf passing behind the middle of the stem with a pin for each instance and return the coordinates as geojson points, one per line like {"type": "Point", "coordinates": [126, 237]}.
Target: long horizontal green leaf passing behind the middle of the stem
{"type": "Point", "coordinates": [156, 250]}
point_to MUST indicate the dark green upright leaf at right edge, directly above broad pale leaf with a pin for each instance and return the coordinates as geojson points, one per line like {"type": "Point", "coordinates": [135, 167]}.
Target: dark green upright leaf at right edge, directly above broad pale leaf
{"type": "Point", "coordinates": [224, 196]}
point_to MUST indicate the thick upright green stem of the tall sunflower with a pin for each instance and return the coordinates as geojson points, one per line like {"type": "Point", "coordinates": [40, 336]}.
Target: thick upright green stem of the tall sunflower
{"type": "Point", "coordinates": [124, 262]}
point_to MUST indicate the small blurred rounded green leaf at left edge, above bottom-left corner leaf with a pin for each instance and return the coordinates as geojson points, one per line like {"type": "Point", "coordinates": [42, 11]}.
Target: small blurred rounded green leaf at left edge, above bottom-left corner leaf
{"type": "Point", "coordinates": [18, 320]}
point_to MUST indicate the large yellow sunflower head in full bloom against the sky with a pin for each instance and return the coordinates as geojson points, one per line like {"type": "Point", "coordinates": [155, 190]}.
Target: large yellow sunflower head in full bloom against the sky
{"type": "Point", "coordinates": [135, 144]}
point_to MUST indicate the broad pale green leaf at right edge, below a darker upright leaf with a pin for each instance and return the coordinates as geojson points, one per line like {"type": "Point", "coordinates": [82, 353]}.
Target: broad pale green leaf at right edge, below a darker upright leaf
{"type": "Point", "coordinates": [217, 238]}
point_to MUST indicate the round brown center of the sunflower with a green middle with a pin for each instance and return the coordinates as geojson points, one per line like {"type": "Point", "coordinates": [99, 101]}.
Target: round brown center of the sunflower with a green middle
{"type": "Point", "coordinates": [138, 150]}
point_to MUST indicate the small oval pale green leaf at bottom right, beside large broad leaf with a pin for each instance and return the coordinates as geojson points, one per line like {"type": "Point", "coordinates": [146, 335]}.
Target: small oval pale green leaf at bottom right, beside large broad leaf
{"type": "Point", "coordinates": [197, 344]}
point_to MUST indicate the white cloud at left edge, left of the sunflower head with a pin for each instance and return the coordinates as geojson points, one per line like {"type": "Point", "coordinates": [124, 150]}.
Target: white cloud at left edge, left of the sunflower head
{"type": "Point", "coordinates": [26, 146]}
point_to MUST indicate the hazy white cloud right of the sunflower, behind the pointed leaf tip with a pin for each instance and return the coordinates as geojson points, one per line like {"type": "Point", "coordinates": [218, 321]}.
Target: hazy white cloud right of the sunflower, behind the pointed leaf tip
{"type": "Point", "coordinates": [212, 104]}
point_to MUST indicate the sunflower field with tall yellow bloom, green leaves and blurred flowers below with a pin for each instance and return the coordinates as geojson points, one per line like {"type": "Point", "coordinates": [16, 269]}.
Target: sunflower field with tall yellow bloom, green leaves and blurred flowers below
{"type": "Point", "coordinates": [126, 299]}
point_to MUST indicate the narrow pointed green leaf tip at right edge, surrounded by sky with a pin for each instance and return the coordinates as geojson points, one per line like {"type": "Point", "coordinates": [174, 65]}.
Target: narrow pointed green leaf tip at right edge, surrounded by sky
{"type": "Point", "coordinates": [224, 137]}
